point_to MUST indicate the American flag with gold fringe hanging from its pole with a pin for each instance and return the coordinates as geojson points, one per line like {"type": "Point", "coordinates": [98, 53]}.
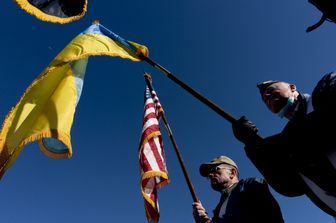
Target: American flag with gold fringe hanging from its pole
{"type": "Point", "coordinates": [153, 168]}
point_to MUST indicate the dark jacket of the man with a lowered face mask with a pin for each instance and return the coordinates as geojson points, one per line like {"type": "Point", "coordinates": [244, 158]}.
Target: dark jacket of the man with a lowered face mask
{"type": "Point", "coordinates": [302, 158]}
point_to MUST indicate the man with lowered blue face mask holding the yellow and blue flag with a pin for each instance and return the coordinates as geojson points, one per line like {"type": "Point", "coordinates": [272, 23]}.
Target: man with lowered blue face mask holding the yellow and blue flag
{"type": "Point", "coordinates": [302, 158]}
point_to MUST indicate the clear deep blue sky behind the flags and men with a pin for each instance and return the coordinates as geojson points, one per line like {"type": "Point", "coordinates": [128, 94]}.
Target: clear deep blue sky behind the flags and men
{"type": "Point", "coordinates": [220, 48]}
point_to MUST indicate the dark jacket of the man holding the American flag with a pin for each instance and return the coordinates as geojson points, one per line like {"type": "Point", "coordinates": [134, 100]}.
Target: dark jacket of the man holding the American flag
{"type": "Point", "coordinates": [250, 201]}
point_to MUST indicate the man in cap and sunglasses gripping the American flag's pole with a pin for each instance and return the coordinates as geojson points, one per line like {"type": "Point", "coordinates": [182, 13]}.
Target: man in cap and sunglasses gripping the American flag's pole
{"type": "Point", "coordinates": [241, 201]}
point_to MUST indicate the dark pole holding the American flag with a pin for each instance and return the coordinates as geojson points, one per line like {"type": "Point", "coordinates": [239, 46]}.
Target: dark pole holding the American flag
{"type": "Point", "coordinates": [172, 138]}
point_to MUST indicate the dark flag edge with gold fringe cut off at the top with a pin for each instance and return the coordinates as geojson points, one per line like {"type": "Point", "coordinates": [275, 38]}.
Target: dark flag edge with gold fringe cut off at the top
{"type": "Point", "coordinates": [56, 11]}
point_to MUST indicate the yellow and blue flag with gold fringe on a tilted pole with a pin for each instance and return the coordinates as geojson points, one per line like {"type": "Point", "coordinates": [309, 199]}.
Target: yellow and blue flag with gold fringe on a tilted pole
{"type": "Point", "coordinates": [46, 110]}
